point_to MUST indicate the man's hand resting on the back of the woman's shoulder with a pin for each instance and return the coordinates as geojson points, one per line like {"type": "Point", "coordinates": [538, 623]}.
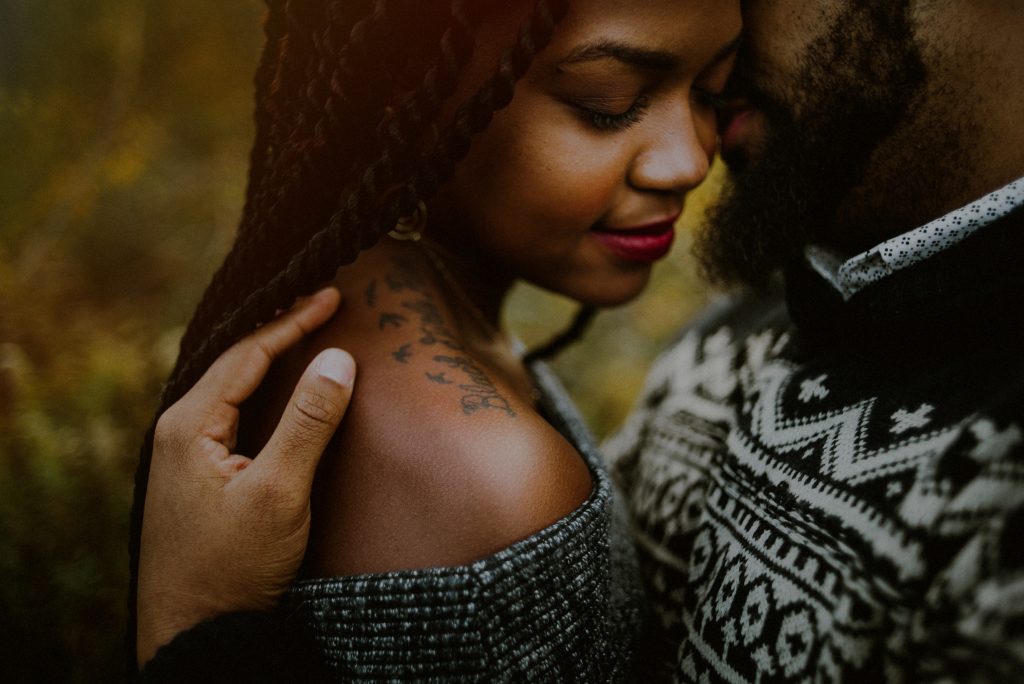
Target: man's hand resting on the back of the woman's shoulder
{"type": "Point", "coordinates": [223, 533]}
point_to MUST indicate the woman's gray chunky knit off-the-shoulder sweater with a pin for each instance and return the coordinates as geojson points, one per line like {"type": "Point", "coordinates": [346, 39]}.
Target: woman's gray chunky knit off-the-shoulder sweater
{"type": "Point", "coordinates": [563, 606]}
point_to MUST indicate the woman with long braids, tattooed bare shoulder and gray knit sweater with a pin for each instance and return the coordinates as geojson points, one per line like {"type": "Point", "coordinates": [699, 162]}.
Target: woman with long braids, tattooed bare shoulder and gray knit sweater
{"type": "Point", "coordinates": [462, 532]}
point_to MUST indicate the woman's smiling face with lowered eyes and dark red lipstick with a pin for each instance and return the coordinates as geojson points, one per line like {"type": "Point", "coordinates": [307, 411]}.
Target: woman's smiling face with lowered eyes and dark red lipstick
{"type": "Point", "coordinates": [576, 186]}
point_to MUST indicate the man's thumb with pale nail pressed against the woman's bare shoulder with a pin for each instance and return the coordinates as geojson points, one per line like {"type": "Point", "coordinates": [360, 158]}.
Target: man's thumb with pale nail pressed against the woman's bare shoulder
{"type": "Point", "coordinates": [311, 419]}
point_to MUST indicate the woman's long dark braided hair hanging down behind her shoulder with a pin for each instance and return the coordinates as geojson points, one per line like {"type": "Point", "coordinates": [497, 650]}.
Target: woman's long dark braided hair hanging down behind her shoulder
{"type": "Point", "coordinates": [320, 189]}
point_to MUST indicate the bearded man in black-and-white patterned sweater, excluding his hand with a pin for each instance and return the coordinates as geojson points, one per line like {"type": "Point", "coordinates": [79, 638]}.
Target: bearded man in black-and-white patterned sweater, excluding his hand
{"type": "Point", "coordinates": [827, 483]}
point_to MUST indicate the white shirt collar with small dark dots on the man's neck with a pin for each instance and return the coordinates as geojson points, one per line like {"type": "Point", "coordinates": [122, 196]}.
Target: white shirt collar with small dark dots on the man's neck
{"type": "Point", "coordinates": [851, 276]}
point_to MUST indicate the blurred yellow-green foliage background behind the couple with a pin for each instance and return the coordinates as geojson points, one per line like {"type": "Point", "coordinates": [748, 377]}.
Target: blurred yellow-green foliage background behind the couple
{"type": "Point", "coordinates": [124, 135]}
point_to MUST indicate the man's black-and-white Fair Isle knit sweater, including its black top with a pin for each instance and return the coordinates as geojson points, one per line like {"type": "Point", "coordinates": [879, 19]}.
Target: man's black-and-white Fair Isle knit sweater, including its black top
{"type": "Point", "coordinates": [826, 491]}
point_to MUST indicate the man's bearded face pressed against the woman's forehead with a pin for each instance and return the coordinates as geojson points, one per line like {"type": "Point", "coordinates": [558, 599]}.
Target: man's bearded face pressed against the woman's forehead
{"type": "Point", "coordinates": [833, 146]}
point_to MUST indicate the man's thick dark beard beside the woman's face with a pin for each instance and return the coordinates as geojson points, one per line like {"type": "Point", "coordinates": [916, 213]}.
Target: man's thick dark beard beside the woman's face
{"type": "Point", "coordinates": [856, 85]}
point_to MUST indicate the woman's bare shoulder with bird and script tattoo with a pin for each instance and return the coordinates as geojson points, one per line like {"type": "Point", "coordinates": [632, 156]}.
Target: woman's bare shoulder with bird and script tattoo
{"type": "Point", "coordinates": [438, 462]}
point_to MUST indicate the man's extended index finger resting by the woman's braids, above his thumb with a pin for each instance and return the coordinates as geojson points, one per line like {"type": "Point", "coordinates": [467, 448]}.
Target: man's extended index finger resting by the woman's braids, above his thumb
{"type": "Point", "coordinates": [238, 372]}
